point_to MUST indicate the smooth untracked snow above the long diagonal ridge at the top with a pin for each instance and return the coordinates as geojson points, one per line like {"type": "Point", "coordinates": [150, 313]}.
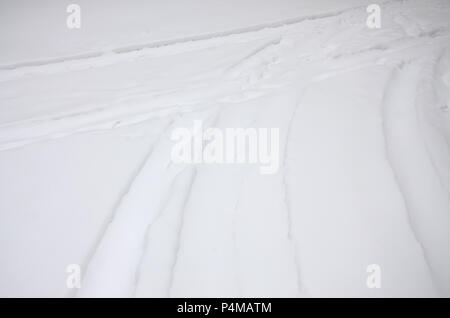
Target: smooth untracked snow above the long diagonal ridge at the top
{"type": "Point", "coordinates": [33, 31]}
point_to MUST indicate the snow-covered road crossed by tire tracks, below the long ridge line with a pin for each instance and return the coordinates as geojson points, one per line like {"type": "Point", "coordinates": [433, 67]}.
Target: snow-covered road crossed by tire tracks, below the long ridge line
{"type": "Point", "coordinates": [364, 177]}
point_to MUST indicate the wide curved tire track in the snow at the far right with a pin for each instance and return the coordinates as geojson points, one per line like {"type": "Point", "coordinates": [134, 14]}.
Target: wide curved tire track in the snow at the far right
{"type": "Point", "coordinates": [426, 204]}
